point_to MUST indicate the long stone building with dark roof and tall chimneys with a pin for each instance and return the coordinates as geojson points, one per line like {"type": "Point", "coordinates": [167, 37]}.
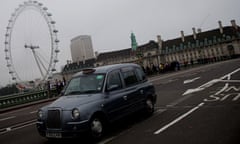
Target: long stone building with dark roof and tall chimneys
{"type": "Point", "coordinates": [200, 47]}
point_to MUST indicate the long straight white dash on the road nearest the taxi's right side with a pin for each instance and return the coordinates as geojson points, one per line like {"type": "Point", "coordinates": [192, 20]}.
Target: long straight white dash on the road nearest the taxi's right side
{"type": "Point", "coordinates": [178, 119]}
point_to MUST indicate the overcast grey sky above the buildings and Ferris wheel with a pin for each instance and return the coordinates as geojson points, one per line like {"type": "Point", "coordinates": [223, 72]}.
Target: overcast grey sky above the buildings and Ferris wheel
{"type": "Point", "coordinates": [110, 22]}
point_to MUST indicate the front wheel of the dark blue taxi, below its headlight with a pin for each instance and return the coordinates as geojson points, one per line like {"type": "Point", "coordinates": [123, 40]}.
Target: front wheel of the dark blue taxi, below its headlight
{"type": "Point", "coordinates": [96, 128]}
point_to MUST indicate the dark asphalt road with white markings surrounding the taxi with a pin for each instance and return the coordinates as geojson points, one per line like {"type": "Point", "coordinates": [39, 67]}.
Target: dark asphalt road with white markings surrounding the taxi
{"type": "Point", "coordinates": [197, 105]}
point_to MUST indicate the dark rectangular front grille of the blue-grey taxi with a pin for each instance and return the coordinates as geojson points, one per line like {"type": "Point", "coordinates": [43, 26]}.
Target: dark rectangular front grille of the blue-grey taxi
{"type": "Point", "coordinates": [54, 119]}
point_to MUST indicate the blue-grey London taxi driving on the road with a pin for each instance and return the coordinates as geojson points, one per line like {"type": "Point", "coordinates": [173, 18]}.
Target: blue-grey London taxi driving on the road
{"type": "Point", "coordinates": [95, 98]}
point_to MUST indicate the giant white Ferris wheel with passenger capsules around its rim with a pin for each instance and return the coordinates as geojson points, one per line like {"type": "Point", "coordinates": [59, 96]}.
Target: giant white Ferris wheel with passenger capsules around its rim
{"type": "Point", "coordinates": [31, 43]}
